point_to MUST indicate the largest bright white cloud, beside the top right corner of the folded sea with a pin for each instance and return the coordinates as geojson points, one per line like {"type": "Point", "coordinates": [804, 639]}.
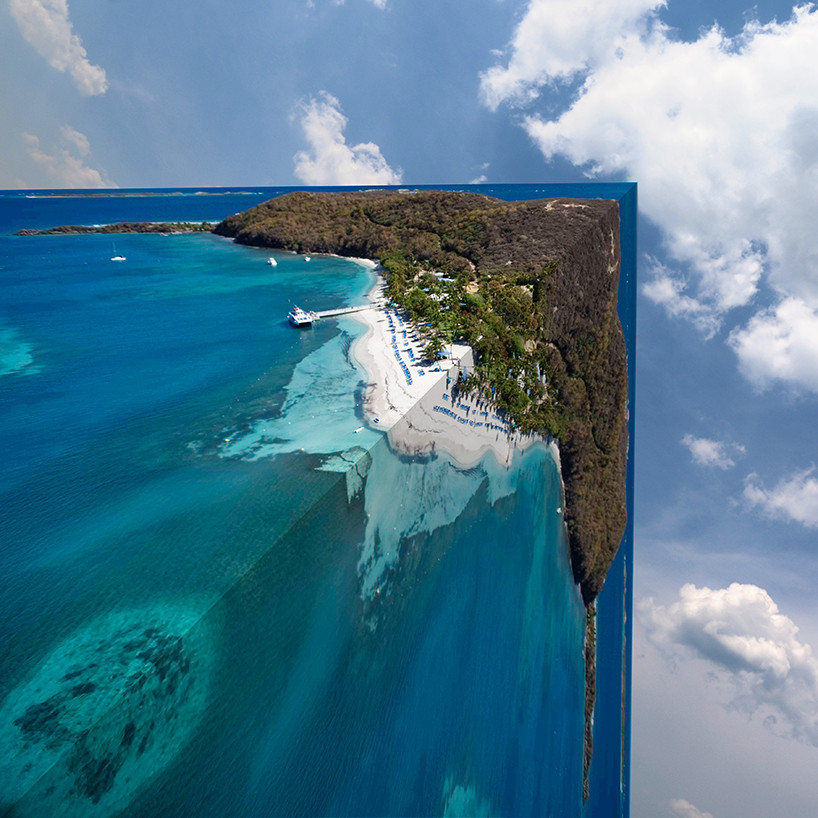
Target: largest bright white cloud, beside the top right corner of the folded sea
{"type": "Point", "coordinates": [707, 128]}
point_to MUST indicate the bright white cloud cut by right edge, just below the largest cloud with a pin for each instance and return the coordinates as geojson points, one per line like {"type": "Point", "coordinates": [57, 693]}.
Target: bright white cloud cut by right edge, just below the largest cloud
{"type": "Point", "coordinates": [780, 343]}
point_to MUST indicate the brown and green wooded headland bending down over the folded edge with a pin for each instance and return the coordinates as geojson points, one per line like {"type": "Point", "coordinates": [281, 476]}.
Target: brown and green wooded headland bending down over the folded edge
{"type": "Point", "coordinates": [536, 287]}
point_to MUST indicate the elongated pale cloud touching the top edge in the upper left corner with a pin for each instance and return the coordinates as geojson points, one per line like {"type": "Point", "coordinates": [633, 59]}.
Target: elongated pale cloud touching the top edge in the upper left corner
{"type": "Point", "coordinates": [45, 24]}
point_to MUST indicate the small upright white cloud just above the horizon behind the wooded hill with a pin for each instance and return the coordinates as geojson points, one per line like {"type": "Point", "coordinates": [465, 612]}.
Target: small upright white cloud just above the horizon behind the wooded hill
{"type": "Point", "coordinates": [330, 161]}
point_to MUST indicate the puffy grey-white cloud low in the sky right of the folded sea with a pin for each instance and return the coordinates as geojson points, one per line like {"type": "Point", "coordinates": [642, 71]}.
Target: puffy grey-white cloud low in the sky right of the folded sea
{"type": "Point", "coordinates": [752, 649]}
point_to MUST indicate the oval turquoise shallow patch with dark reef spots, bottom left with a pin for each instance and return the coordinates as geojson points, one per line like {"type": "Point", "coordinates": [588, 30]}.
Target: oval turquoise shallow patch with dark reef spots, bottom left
{"type": "Point", "coordinates": [106, 711]}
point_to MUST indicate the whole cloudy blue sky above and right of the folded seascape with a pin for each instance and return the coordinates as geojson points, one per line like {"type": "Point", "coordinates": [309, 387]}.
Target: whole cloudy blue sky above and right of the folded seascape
{"type": "Point", "coordinates": [712, 108]}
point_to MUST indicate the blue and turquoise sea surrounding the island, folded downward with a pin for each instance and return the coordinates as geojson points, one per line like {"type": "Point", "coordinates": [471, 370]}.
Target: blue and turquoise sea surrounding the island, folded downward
{"type": "Point", "coordinates": [185, 626]}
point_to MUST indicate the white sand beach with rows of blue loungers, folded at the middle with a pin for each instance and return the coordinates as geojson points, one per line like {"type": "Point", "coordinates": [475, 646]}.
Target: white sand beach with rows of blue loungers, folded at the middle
{"type": "Point", "coordinates": [414, 403]}
